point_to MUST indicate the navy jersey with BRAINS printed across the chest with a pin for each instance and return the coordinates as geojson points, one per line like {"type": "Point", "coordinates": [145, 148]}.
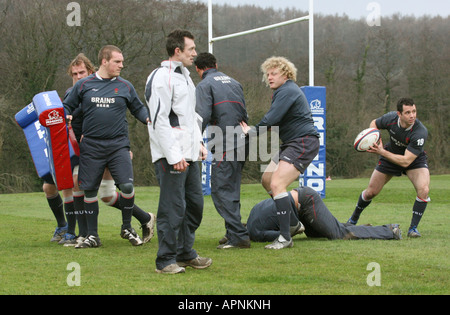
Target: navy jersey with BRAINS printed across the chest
{"type": "Point", "coordinates": [104, 103]}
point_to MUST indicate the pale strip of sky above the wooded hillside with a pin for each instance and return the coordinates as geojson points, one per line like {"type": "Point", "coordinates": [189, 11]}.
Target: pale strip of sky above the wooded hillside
{"type": "Point", "coordinates": [354, 9]}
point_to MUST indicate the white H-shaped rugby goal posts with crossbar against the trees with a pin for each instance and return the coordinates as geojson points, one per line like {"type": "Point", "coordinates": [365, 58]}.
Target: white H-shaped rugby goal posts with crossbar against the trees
{"type": "Point", "coordinates": [309, 17]}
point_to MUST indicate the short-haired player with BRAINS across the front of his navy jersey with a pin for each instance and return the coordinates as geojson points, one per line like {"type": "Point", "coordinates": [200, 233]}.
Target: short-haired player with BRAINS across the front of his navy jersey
{"type": "Point", "coordinates": [104, 98]}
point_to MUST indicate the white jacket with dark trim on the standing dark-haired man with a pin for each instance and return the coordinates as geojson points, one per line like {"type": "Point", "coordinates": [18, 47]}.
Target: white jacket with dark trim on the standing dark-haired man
{"type": "Point", "coordinates": [175, 127]}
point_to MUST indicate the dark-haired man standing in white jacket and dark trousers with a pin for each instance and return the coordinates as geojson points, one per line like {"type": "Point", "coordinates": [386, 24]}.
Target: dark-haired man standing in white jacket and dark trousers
{"type": "Point", "coordinates": [176, 146]}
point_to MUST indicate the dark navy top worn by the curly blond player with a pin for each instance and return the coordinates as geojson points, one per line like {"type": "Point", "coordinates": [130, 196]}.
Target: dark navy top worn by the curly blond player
{"type": "Point", "coordinates": [291, 112]}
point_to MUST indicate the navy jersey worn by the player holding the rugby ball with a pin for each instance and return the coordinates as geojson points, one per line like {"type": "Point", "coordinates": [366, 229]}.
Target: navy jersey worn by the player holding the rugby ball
{"type": "Point", "coordinates": [412, 138]}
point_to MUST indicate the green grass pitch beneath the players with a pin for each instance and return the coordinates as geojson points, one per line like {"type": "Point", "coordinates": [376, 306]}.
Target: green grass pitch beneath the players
{"type": "Point", "coordinates": [30, 264]}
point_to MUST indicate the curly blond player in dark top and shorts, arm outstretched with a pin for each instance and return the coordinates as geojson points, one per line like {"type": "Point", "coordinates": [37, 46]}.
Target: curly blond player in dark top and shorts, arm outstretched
{"type": "Point", "coordinates": [289, 111]}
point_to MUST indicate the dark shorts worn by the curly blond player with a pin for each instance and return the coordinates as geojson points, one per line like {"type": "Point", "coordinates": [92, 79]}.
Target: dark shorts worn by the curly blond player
{"type": "Point", "coordinates": [300, 152]}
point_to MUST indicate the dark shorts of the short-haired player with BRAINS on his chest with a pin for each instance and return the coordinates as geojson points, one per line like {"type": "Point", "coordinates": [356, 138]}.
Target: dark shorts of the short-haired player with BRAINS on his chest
{"type": "Point", "coordinates": [97, 154]}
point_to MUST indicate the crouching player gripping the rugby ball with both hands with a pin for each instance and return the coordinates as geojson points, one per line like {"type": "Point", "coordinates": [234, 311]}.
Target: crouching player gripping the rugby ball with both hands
{"type": "Point", "coordinates": [404, 154]}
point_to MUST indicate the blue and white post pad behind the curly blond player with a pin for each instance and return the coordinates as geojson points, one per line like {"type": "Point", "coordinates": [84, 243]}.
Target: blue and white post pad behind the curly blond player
{"type": "Point", "coordinates": [315, 175]}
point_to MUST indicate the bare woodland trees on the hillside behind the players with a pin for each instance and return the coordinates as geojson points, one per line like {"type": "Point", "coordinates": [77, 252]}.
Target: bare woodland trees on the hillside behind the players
{"type": "Point", "coordinates": [365, 69]}
